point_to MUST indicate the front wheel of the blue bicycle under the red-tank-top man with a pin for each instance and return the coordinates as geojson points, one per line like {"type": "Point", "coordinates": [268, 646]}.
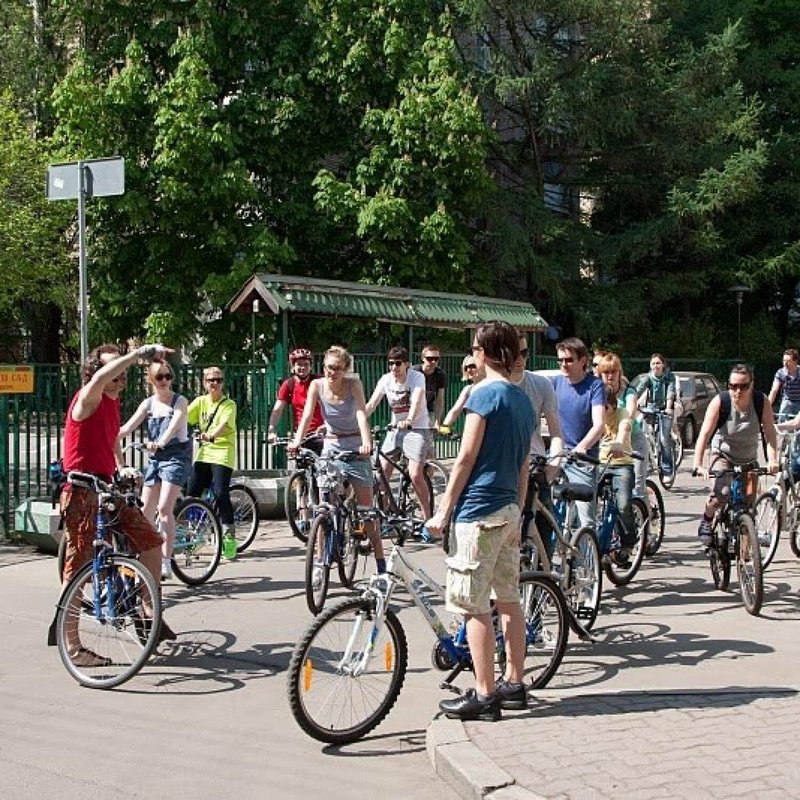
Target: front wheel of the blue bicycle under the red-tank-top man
{"type": "Point", "coordinates": [116, 627]}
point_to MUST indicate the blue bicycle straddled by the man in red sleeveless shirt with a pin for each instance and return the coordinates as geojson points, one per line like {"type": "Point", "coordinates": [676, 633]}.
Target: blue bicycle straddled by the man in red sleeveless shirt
{"type": "Point", "coordinates": [111, 605]}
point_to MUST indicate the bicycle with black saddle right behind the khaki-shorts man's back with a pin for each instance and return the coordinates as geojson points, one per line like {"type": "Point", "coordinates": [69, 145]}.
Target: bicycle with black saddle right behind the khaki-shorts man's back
{"type": "Point", "coordinates": [575, 563]}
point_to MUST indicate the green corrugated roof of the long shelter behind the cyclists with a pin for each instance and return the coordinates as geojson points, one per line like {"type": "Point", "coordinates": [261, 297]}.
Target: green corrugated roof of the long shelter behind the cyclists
{"type": "Point", "coordinates": [316, 296]}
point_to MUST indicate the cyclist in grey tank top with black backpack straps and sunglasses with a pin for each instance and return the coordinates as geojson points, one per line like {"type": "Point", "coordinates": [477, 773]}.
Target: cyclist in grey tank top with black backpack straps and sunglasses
{"type": "Point", "coordinates": [735, 440]}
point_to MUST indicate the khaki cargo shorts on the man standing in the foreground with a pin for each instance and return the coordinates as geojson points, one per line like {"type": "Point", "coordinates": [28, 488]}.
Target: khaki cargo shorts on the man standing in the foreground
{"type": "Point", "coordinates": [484, 561]}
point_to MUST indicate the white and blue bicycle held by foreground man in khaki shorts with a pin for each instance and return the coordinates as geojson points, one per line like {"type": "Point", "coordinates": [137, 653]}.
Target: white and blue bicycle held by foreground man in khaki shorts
{"type": "Point", "coordinates": [349, 666]}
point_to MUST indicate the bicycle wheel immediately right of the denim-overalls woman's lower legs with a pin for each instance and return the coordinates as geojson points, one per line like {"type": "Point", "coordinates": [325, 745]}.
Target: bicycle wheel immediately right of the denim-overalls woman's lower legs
{"type": "Point", "coordinates": [198, 541]}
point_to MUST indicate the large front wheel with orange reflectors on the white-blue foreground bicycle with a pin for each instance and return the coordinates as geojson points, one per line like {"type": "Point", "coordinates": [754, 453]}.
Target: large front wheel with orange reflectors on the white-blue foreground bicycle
{"type": "Point", "coordinates": [346, 671]}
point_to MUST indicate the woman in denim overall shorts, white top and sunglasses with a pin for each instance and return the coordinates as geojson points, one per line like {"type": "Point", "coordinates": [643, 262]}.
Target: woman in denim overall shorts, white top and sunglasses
{"type": "Point", "coordinates": [170, 452]}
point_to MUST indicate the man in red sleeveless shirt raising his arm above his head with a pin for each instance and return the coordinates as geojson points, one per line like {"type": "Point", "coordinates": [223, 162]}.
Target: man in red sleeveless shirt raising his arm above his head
{"type": "Point", "coordinates": [91, 445]}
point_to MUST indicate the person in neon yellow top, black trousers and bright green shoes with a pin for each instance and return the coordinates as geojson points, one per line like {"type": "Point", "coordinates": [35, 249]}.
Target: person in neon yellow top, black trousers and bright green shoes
{"type": "Point", "coordinates": [214, 414]}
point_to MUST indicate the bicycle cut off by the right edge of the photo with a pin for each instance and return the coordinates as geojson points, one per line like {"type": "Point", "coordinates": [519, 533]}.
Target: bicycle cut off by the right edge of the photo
{"type": "Point", "coordinates": [778, 508]}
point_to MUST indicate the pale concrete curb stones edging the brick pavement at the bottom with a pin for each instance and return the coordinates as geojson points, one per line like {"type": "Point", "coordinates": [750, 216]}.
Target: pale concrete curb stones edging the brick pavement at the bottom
{"type": "Point", "coordinates": [469, 771]}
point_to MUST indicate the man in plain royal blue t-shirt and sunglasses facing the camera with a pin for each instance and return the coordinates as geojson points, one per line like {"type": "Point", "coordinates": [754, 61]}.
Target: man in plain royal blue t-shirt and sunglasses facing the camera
{"type": "Point", "coordinates": [581, 398]}
